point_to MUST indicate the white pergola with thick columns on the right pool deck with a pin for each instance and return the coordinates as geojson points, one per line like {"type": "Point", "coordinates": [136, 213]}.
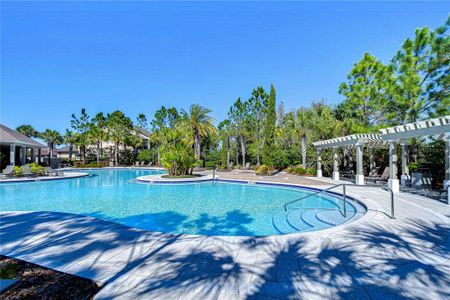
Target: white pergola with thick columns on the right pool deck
{"type": "Point", "coordinates": [438, 128]}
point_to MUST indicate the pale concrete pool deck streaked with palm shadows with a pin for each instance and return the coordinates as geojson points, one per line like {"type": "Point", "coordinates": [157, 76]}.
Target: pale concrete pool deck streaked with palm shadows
{"type": "Point", "coordinates": [373, 257]}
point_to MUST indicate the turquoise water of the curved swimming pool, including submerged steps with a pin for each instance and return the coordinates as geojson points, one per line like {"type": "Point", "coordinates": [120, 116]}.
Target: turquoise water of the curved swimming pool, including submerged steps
{"type": "Point", "coordinates": [195, 208]}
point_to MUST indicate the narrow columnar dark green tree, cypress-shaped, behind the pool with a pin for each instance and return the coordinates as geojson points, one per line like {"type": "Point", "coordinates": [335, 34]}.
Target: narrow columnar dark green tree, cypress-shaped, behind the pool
{"type": "Point", "coordinates": [269, 128]}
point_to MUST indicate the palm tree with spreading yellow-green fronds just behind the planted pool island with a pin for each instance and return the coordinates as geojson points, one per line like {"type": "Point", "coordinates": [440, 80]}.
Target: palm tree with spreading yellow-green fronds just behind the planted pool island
{"type": "Point", "coordinates": [201, 124]}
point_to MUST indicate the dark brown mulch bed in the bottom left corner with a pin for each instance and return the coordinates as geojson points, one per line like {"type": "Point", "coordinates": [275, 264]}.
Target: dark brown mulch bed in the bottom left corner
{"type": "Point", "coordinates": [36, 282]}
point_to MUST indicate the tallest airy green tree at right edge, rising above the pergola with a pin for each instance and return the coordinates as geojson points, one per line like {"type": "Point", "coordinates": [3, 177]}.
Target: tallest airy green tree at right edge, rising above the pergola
{"type": "Point", "coordinates": [423, 71]}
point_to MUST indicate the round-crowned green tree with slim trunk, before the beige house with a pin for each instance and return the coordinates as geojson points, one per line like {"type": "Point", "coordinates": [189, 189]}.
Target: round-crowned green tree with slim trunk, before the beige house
{"type": "Point", "coordinates": [119, 127]}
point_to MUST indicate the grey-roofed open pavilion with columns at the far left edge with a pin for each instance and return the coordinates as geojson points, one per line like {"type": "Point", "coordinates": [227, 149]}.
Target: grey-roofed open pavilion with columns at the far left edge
{"type": "Point", "coordinates": [18, 149]}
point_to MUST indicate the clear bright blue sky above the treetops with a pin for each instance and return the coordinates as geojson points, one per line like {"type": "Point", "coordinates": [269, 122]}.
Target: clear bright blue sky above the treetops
{"type": "Point", "coordinates": [59, 57]}
